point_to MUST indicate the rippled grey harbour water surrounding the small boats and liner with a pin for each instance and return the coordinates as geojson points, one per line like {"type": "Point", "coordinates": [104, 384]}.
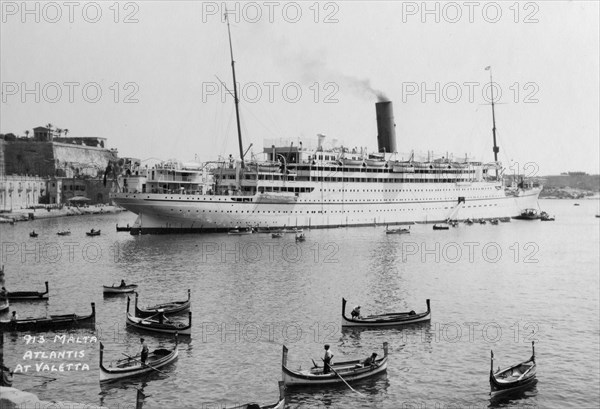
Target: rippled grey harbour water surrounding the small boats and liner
{"type": "Point", "coordinates": [491, 287]}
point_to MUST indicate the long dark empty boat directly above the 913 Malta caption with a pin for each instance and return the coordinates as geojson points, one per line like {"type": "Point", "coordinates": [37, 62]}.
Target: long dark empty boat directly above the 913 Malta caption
{"type": "Point", "coordinates": [52, 322]}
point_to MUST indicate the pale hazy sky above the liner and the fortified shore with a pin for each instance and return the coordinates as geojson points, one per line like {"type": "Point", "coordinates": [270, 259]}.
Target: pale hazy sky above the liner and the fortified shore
{"type": "Point", "coordinates": [149, 75]}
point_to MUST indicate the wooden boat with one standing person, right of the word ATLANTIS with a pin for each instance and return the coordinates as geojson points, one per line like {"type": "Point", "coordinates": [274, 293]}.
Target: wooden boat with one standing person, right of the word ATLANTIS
{"type": "Point", "coordinates": [132, 366]}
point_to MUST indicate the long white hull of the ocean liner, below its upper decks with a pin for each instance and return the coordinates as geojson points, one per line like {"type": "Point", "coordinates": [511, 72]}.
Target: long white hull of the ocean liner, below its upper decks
{"type": "Point", "coordinates": [326, 208]}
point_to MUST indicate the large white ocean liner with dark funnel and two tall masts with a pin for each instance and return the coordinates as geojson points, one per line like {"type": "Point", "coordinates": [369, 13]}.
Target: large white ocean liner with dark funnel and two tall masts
{"type": "Point", "coordinates": [318, 186]}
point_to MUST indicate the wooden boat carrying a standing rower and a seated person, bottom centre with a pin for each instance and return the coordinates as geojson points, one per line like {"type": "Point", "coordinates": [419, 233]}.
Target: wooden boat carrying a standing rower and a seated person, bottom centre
{"type": "Point", "coordinates": [348, 370]}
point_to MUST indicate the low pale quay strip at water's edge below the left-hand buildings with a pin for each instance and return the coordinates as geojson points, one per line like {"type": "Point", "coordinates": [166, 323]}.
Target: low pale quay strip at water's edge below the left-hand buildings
{"type": "Point", "coordinates": [23, 215]}
